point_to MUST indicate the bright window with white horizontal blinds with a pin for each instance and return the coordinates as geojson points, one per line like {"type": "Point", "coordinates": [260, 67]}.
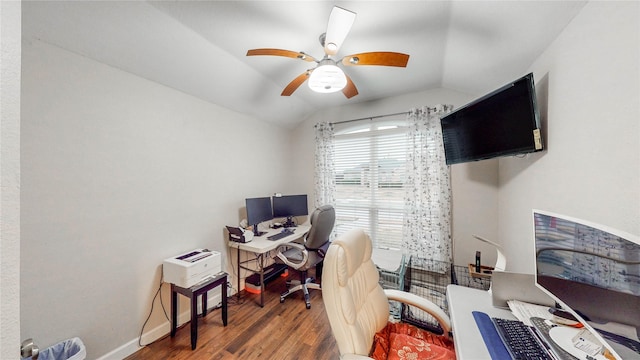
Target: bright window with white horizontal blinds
{"type": "Point", "coordinates": [370, 165]}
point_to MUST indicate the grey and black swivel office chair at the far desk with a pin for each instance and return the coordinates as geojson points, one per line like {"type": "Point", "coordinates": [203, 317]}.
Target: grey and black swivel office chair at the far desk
{"type": "Point", "coordinates": [303, 257]}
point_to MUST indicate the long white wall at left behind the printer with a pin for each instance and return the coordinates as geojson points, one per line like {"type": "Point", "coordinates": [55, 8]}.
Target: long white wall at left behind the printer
{"type": "Point", "coordinates": [119, 173]}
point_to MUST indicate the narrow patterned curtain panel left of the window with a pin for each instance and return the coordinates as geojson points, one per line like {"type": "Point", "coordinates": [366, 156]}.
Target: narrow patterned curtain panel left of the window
{"type": "Point", "coordinates": [325, 178]}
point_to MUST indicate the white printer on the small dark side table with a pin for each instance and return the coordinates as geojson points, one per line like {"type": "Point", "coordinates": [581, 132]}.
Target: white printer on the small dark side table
{"type": "Point", "coordinates": [190, 268]}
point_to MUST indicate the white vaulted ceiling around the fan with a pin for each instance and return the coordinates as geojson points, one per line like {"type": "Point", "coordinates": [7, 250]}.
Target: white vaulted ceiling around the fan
{"type": "Point", "coordinates": [199, 47]}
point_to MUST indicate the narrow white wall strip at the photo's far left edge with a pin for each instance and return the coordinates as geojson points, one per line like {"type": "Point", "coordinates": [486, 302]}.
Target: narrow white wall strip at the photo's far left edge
{"type": "Point", "coordinates": [10, 31]}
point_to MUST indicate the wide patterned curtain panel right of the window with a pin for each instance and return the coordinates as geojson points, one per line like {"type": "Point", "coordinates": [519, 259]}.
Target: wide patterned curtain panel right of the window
{"type": "Point", "coordinates": [427, 217]}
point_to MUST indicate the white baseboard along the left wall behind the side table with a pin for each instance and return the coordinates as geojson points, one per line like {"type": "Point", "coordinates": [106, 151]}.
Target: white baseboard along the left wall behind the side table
{"type": "Point", "coordinates": [214, 298]}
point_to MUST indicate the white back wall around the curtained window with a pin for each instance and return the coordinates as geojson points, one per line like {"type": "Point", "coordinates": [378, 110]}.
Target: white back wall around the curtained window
{"type": "Point", "coordinates": [474, 186]}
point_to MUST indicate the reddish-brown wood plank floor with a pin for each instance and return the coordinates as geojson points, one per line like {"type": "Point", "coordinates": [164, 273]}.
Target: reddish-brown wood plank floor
{"type": "Point", "coordinates": [277, 331]}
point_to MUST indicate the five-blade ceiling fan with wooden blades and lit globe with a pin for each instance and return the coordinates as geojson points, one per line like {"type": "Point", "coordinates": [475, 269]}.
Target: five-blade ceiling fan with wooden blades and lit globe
{"type": "Point", "coordinates": [327, 76]}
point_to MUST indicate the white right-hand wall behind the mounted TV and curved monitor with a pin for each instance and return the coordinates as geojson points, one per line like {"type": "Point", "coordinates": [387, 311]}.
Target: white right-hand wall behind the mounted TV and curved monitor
{"type": "Point", "coordinates": [589, 80]}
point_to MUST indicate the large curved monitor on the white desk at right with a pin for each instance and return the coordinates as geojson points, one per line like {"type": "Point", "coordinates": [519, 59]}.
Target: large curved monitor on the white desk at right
{"type": "Point", "coordinates": [592, 271]}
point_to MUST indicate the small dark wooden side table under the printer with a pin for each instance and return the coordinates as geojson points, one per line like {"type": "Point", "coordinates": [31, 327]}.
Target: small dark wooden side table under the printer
{"type": "Point", "coordinates": [192, 293]}
